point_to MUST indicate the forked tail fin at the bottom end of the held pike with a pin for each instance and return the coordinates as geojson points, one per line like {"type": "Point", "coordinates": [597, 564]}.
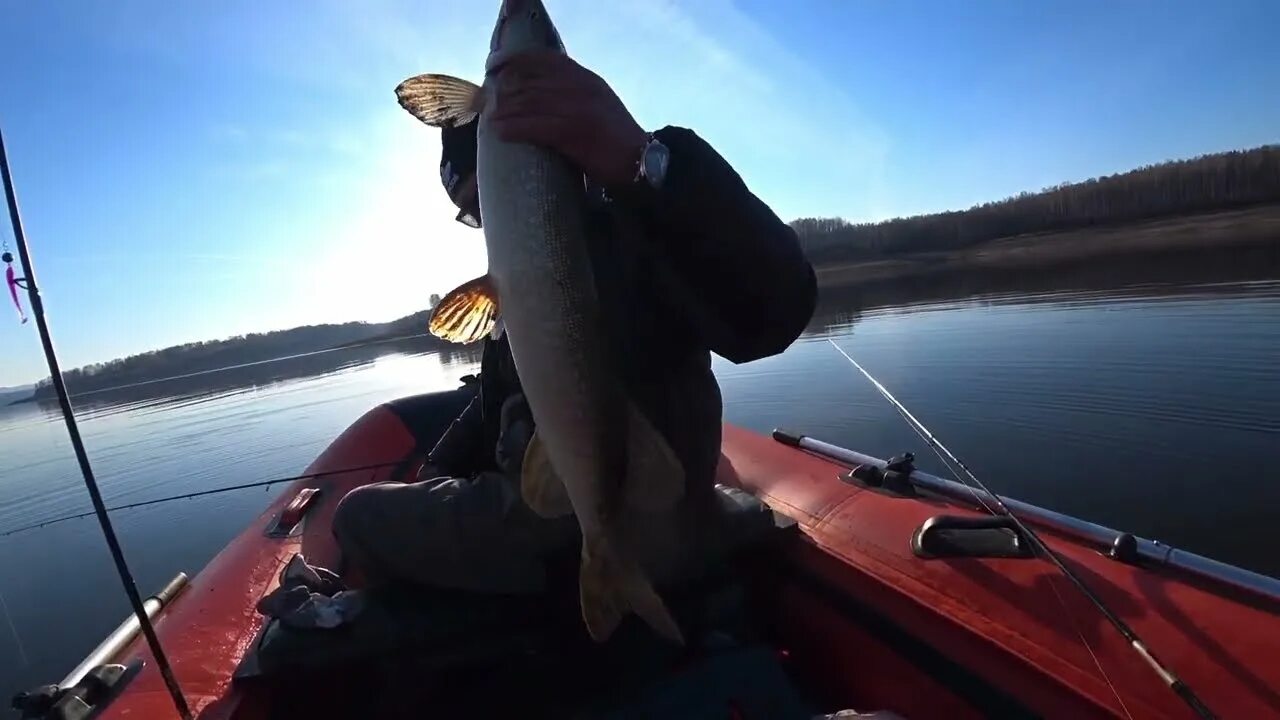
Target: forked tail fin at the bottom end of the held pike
{"type": "Point", "coordinates": [611, 587]}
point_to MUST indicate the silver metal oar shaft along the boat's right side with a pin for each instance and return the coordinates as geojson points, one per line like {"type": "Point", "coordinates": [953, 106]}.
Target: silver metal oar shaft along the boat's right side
{"type": "Point", "coordinates": [1149, 552]}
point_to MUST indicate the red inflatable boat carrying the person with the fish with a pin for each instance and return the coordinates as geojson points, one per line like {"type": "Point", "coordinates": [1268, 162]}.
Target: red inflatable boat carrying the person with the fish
{"type": "Point", "coordinates": [890, 593]}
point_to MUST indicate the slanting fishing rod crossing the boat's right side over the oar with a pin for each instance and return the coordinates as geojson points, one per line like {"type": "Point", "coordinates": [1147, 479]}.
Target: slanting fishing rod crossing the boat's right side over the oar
{"type": "Point", "coordinates": [1167, 676]}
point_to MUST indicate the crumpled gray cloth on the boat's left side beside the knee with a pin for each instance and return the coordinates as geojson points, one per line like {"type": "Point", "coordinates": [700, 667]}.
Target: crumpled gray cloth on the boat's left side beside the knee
{"type": "Point", "coordinates": [310, 598]}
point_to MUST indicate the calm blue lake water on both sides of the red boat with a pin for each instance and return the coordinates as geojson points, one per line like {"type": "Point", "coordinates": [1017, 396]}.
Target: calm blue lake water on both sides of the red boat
{"type": "Point", "coordinates": [1153, 408]}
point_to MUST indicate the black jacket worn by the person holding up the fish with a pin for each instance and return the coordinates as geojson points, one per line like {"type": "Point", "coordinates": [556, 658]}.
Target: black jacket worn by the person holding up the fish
{"type": "Point", "coordinates": [701, 266]}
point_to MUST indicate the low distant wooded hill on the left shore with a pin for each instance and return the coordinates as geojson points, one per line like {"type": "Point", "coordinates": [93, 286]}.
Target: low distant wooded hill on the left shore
{"type": "Point", "coordinates": [217, 354]}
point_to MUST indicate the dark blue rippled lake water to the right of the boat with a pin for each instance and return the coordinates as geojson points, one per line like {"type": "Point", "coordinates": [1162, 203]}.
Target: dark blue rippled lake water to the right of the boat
{"type": "Point", "coordinates": [1123, 393]}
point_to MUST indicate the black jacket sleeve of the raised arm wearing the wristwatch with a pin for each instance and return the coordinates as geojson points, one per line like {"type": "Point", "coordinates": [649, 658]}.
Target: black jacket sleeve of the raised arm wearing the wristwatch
{"type": "Point", "coordinates": [749, 288]}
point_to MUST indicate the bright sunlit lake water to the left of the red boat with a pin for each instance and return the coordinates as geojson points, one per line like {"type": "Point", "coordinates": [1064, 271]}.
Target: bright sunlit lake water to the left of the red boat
{"type": "Point", "coordinates": [158, 440]}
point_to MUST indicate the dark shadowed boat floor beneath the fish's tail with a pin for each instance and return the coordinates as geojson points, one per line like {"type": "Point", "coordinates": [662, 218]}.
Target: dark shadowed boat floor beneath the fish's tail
{"type": "Point", "coordinates": [452, 655]}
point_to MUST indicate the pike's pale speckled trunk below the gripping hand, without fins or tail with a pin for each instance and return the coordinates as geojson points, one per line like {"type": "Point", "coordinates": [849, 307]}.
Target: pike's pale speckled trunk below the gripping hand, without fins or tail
{"type": "Point", "coordinates": [534, 212]}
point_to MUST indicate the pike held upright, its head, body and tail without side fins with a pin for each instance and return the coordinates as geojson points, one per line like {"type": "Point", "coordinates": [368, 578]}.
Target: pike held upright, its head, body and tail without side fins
{"type": "Point", "coordinates": [533, 204]}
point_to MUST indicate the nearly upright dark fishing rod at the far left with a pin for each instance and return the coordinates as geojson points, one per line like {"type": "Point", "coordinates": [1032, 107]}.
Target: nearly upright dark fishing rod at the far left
{"type": "Point", "coordinates": [56, 375]}
